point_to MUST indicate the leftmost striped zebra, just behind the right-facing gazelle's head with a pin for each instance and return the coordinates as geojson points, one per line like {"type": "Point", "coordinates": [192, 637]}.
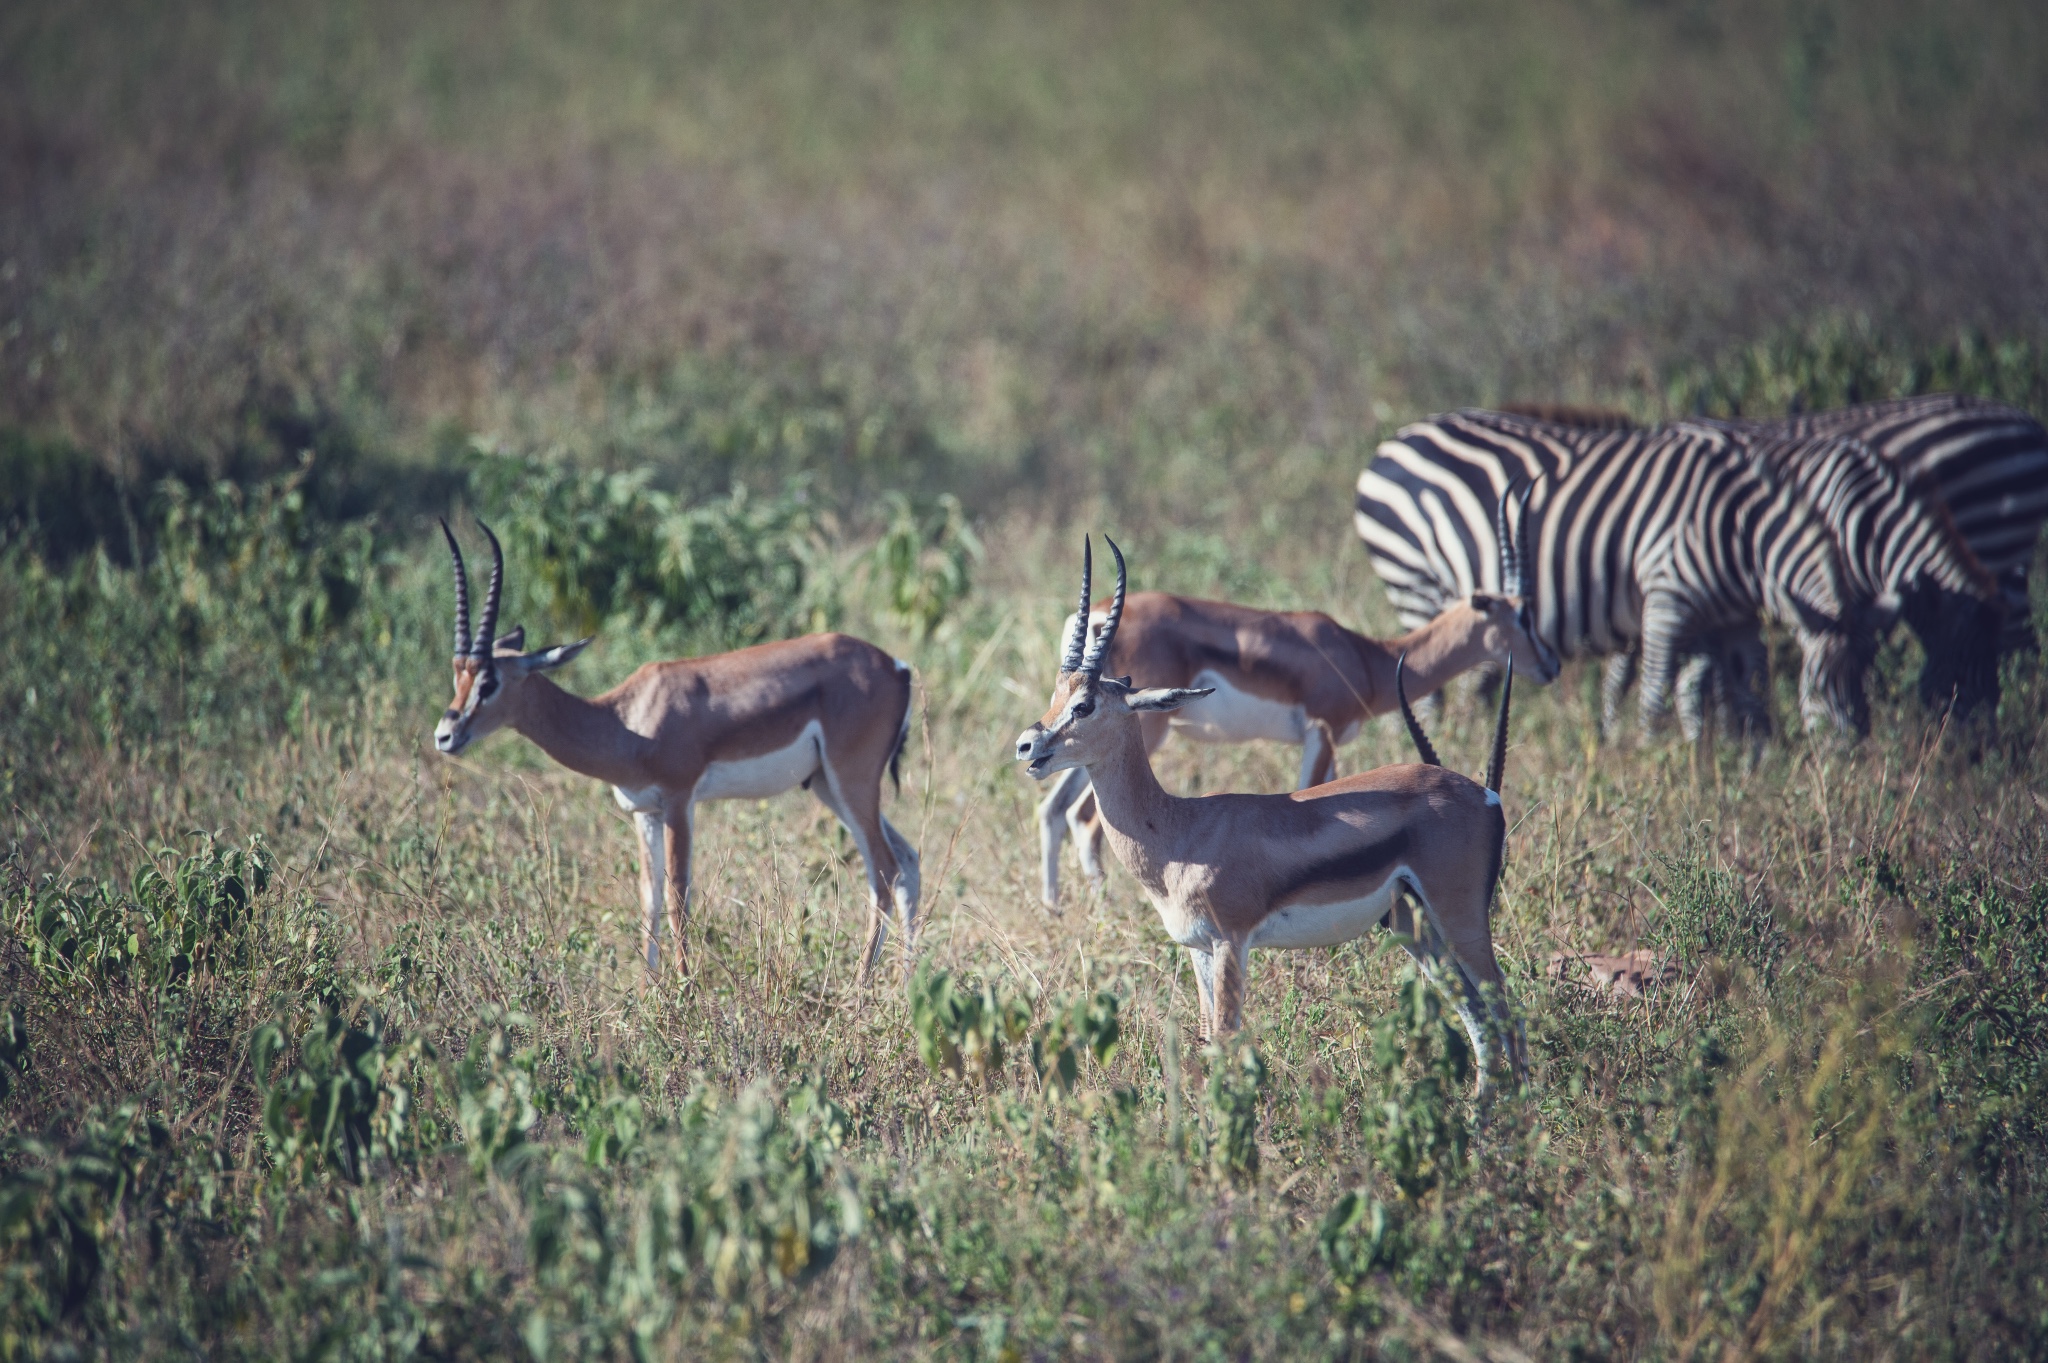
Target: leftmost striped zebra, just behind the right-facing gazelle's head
{"type": "Point", "coordinates": [1660, 539]}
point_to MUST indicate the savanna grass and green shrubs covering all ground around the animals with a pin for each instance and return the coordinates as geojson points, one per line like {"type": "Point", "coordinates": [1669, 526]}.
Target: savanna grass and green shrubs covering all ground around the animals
{"type": "Point", "coordinates": [749, 320]}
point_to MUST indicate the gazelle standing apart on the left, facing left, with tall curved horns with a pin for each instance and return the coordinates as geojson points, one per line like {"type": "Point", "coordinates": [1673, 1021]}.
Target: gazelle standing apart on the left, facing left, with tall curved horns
{"type": "Point", "coordinates": [828, 713]}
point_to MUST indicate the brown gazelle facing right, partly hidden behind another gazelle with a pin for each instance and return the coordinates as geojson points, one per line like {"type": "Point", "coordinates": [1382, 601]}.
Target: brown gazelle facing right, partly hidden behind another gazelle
{"type": "Point", "coordinates": [1285, 676]}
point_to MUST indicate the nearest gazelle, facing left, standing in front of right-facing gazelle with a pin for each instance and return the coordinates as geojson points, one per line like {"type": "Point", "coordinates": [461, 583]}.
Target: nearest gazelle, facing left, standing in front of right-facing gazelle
{"type": "Point", "coordinates": [1289, 871]}
